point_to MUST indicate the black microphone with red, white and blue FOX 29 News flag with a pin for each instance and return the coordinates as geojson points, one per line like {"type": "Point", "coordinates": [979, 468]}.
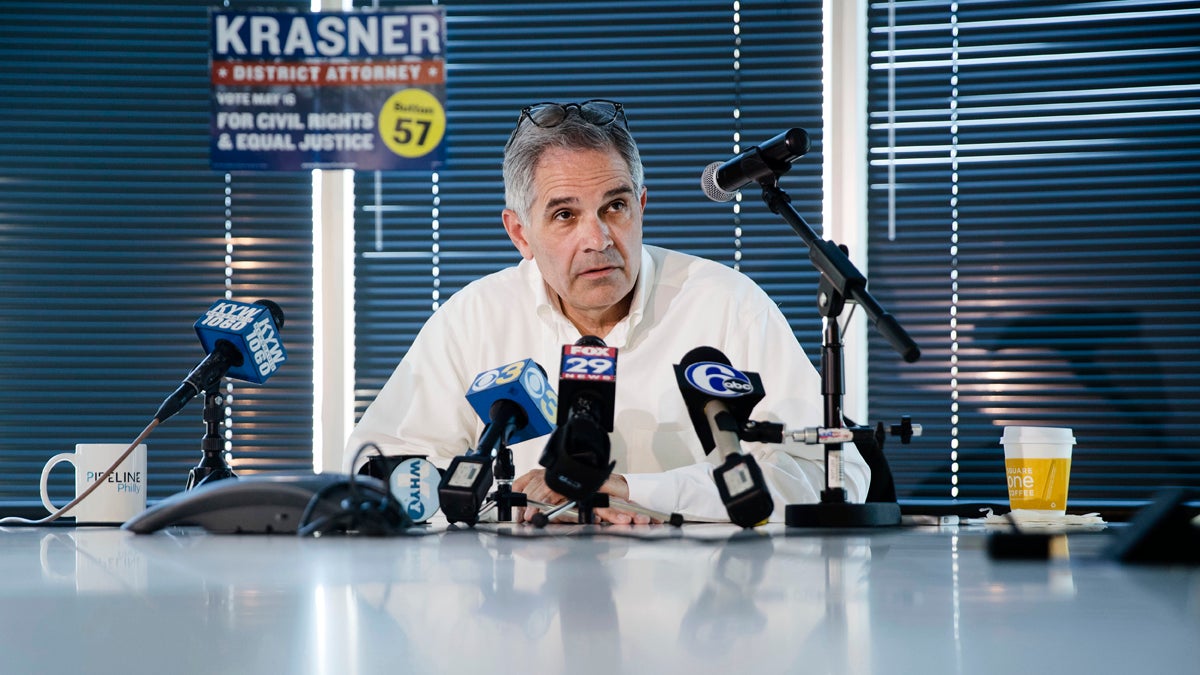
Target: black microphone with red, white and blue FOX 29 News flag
{"type": "Point", "coordinates": [577, 457]}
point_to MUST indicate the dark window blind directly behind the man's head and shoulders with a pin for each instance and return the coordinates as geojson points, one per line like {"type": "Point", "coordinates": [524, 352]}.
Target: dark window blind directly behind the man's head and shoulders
{"type": "Point", "coordinates": [701, 81]}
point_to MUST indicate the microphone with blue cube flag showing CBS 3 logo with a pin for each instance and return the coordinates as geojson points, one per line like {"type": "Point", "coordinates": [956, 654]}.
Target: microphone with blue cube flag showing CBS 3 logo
{"type": "Point", "coordinates": [518, 404]}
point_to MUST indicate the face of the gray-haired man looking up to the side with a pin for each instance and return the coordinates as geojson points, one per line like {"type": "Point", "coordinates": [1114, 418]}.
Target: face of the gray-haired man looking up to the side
{"type": "Point", "coordinates": [585, 231]}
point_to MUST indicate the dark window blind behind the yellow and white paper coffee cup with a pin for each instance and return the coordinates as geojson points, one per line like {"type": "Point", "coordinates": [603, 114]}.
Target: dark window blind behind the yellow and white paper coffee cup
{"type": "Point", "coordinates": [1035, 223]}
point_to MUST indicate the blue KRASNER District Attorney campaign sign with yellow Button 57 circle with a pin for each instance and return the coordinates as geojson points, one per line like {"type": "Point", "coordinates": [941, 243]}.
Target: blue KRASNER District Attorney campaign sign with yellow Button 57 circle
{"type": "Point", "coordinates": [332, 91]}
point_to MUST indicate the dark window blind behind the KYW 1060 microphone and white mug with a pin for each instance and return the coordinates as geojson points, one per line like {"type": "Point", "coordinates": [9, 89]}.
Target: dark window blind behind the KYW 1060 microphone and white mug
{"type": "Point", "coordinates": [117, 236]}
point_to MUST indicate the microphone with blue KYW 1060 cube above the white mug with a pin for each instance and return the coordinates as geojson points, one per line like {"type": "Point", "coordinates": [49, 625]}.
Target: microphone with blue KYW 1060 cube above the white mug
{"type": "Point", "coordinates": [242, 342]}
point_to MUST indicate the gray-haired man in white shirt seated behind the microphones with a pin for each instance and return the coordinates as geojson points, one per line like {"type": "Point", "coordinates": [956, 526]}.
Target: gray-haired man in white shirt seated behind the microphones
{"type": "Point", "coordinates": [575, 198]}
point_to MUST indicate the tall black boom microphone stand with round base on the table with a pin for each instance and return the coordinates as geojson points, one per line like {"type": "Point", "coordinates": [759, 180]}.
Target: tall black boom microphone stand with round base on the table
{"type": "Point", "coordinates": [841, 283]}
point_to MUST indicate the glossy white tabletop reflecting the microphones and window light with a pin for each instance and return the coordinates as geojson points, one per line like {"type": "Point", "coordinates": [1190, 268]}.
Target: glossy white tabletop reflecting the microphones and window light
{"type": "Point", "coordinates": [706, 600]}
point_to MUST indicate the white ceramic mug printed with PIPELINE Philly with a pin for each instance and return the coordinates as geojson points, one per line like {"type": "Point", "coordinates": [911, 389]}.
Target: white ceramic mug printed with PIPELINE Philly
{"type": "Point", "coordinates": [122, 497]}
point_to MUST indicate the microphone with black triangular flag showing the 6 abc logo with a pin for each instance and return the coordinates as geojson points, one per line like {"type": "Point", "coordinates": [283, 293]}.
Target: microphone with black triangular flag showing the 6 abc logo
{"type": "Point", "coordinates": [719, 401]}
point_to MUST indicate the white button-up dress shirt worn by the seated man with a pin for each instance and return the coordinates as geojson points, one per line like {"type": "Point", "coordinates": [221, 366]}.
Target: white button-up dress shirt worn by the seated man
{"type": "Point", "coordinates": [681, 302]}
